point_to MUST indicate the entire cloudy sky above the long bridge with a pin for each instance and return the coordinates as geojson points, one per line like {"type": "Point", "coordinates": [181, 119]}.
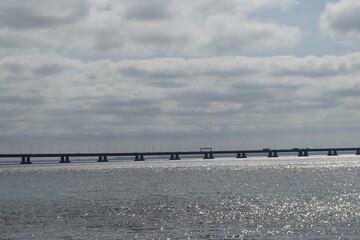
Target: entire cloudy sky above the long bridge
{"type": "Point", "coordinates": [118, 75]}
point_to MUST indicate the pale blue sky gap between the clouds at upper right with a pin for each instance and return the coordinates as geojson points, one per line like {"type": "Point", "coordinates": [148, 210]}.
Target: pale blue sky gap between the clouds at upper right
{"type": "Point", "coordinates": [305, 16]}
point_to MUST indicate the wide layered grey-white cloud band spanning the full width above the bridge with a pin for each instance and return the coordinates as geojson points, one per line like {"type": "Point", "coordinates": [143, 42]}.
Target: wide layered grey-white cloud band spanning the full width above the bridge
{"type": "Point", "coordinates": [52, 95]}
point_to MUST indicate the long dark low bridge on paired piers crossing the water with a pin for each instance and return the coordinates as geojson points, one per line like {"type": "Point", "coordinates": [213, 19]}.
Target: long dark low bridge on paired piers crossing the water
{"type": "Point", "coordinates": [140, 156]}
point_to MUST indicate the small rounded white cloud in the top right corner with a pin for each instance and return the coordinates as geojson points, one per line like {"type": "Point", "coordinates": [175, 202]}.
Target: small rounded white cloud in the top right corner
{"type": "Point", "coordinates": [341, 19]}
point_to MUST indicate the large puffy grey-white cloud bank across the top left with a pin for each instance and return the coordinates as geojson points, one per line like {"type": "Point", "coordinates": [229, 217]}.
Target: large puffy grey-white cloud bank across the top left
{"type": "Point", "coordinates": [142, 29]}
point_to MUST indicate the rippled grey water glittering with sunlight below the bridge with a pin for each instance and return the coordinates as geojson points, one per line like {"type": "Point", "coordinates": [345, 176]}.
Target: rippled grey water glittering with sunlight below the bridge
{"type": "Point", "coordinates": [254, 198]}
